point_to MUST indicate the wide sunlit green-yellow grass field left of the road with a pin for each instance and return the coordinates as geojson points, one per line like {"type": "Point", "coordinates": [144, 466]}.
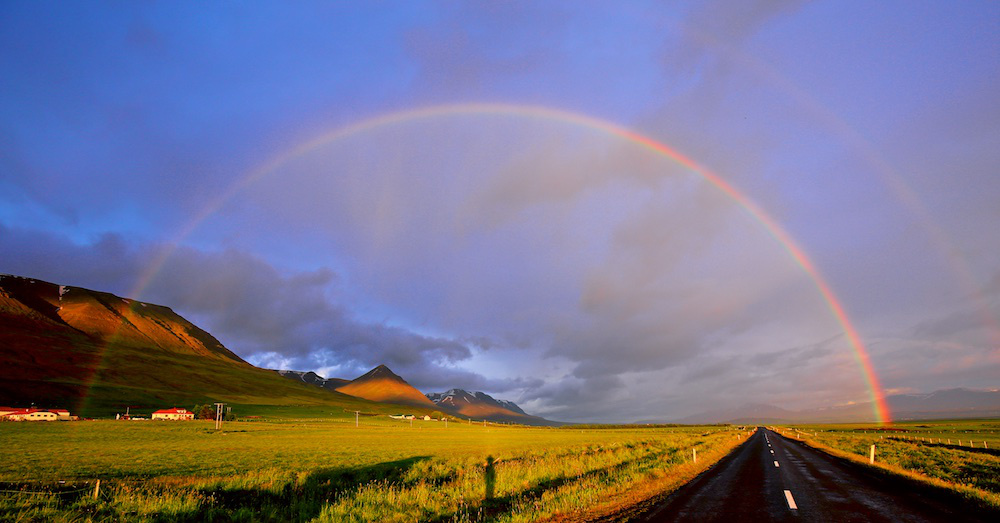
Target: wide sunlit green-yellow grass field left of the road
{"type": "Point", "coordinates": [326, 469]}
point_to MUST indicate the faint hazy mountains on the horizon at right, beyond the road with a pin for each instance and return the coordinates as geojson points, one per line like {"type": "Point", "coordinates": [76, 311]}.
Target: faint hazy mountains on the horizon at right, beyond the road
{"type": "Point", "coordinates": [940, 404]}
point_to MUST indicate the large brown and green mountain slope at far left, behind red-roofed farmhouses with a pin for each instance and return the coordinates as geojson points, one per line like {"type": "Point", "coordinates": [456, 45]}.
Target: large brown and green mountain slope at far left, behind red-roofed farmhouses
{"type": "Point", "coordinates": [96, 353]}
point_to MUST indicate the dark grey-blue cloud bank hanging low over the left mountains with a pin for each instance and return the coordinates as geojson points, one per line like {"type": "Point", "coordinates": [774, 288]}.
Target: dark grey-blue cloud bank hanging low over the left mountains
{"type": "Point", "coordinates": [251, 306]}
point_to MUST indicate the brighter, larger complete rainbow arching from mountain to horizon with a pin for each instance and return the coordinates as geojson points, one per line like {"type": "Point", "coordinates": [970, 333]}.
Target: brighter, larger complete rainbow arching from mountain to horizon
{"type": "Point", "coordinates": [880, 407]}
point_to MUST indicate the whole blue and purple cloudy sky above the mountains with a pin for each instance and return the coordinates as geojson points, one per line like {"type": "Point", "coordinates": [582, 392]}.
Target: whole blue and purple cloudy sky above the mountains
{"type": "Point", "coordinates": [454, 190]}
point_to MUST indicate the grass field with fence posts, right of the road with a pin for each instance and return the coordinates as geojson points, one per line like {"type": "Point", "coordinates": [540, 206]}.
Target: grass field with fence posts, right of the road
{"type": "Point", "coordinates": [962, 455]}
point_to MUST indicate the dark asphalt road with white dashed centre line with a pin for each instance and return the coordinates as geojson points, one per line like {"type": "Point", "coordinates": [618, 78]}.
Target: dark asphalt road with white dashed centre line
{"type": "Point", "coordinates": [771, 478]}
